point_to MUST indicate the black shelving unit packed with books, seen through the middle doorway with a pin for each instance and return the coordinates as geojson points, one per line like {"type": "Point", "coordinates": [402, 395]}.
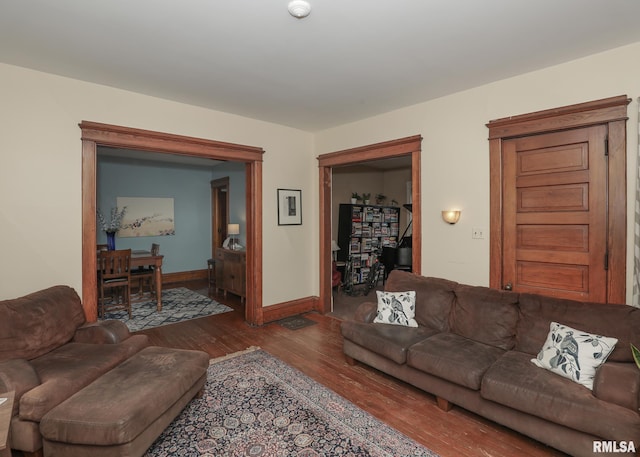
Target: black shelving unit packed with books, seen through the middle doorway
{"type": "Point", "coordinates": [361, 230]}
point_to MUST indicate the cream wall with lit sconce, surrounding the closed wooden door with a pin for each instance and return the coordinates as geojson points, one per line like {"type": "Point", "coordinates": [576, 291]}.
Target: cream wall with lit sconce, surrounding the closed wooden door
{"type": "Point", "coordinates": [455, 153]}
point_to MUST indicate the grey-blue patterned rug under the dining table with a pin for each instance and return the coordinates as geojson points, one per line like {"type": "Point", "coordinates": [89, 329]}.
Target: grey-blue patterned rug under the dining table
{"type": "Point", "coordinates": [179, 304]}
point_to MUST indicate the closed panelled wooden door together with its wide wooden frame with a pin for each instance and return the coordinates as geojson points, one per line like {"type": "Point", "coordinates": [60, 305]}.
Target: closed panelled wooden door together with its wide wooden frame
{"type": "Point", "coordinates": [558, 202]}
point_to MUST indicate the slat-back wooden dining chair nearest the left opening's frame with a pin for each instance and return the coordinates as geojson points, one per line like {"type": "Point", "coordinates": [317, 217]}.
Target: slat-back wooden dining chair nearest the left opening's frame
{"type": "Point", "coordinates": [114, 280]}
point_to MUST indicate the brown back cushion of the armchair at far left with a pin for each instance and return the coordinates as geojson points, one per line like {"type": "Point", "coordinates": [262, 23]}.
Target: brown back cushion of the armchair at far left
{"type": "Point", "coordinates": [39, 322]}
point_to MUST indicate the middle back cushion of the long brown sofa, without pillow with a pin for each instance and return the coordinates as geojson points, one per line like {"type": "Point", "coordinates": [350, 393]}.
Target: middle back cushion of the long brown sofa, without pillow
{"type": "Point", "coordinates": [485, 315]}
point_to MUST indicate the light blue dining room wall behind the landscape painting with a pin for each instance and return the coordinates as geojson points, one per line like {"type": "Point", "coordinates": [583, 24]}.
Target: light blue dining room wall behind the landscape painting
{"type": "Point", "coordinates": [189, 186]}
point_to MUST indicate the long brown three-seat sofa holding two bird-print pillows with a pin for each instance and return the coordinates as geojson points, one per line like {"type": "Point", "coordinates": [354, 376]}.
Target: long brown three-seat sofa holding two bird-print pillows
{"type": "Point", "coordinates": [473, 348]}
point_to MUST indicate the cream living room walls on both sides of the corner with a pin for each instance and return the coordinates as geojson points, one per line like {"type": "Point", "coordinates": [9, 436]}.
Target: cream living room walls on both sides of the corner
{"type": "Point", "coordinates": [40, 195]}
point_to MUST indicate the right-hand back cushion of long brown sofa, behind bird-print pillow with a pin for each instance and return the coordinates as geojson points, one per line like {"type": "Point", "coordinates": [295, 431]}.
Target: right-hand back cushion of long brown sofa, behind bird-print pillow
{"type": "Point", "coordinates": [616, 321]}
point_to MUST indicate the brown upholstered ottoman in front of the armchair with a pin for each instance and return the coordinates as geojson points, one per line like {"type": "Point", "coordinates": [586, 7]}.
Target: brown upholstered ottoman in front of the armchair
{"type": "Point", "coordinates": [125, 410]}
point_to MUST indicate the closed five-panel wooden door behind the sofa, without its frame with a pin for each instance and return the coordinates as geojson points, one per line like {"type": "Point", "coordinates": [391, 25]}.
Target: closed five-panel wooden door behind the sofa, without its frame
{"type": "Point", "coordinates": [555, 218]}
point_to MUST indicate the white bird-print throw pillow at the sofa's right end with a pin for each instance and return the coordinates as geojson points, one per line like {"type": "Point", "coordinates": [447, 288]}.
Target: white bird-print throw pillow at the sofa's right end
{"type": "Point", "coordinates": [574, 354]}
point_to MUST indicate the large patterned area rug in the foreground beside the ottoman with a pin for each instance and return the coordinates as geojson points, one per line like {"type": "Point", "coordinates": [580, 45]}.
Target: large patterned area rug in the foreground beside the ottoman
{"type": "Point", "coordinates": [256, 405]}
